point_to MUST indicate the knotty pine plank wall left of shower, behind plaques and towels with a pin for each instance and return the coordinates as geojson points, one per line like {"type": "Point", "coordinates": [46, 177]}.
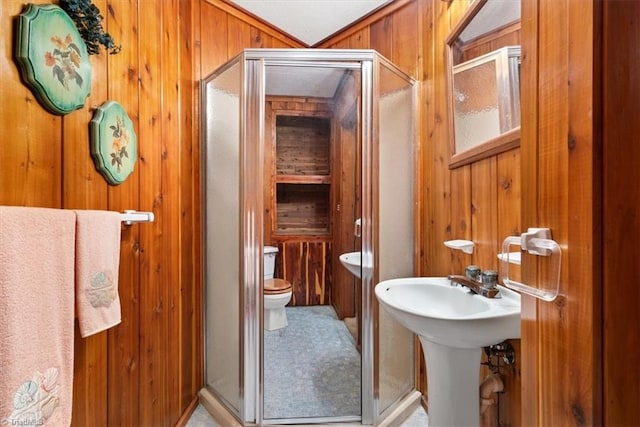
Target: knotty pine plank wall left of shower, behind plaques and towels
{"type": "Point", "coordinates": [147, 370]}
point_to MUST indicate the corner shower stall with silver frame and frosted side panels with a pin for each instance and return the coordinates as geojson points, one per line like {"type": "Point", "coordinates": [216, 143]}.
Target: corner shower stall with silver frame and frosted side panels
{"type": "Point", "coordinates": [343, 180]}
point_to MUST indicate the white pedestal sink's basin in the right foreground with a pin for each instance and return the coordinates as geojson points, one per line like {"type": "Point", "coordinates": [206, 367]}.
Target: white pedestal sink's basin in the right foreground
{"type": "Point", "coordinates": [451, 315]}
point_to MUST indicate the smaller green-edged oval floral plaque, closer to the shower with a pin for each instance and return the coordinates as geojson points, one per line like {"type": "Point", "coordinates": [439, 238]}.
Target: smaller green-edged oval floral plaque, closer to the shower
{"type": "Point", "coordinates": [114, 147]}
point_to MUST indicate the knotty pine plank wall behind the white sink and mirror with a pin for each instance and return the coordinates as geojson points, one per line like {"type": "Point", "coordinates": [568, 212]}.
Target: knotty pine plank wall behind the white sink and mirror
{"type": "Point", "coordinates": [480, 201]}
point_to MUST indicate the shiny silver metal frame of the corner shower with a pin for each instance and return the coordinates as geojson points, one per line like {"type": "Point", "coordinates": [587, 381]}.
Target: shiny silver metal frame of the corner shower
{"type": "Point", "coordinates": [253, 63]}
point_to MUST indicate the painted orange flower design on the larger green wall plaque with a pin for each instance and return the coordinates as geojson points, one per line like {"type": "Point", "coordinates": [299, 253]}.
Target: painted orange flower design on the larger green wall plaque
{"type": "Point", "coordinates": [64, 61]}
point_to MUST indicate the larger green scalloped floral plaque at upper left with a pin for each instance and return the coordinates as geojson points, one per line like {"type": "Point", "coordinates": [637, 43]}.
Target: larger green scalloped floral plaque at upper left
{"type": "Point", "coordinates": [53, 58]}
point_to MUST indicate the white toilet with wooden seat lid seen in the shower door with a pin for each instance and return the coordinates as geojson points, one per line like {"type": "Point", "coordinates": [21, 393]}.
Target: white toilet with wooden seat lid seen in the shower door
{"type": "Point", "coordinates": [277, 293]}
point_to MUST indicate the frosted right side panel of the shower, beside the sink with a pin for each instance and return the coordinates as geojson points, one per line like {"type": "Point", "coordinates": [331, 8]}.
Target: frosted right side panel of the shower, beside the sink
{"type": "Point", "coordinates": [396, 157]}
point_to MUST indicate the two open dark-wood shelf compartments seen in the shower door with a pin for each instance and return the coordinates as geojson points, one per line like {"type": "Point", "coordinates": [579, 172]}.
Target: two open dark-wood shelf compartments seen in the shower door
{"type": "Point", "coordinates": [303, 175]}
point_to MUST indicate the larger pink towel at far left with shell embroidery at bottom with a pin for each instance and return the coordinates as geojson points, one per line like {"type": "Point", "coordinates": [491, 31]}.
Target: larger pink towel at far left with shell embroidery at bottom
{"type": "Point", "coordinates": [36, 315]}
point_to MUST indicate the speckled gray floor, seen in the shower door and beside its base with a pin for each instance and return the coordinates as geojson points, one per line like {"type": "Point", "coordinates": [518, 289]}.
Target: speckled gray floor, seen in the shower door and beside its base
{"type": "Point", "coordinates": [312, 369]}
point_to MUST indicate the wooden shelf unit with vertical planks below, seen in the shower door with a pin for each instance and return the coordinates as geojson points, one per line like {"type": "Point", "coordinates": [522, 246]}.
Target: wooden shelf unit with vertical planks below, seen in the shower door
{"type": "Point", "coordinates": [299, 195]}
